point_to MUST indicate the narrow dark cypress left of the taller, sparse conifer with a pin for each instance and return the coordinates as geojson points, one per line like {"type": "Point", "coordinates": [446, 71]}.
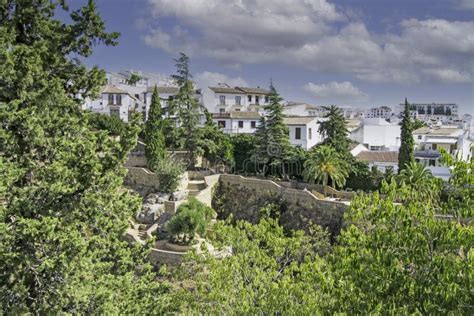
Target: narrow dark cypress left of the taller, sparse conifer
{"type": "Point", "coordinates": [155, 150]}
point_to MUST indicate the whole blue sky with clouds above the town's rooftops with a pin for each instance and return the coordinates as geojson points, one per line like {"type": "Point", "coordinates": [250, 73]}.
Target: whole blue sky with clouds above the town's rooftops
{"type": "Point", "coordinates": [361, 53]}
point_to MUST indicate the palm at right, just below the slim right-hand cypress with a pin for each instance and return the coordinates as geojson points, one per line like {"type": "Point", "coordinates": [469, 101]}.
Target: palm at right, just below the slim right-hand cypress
{"type": "Point", "coordinates": [420, 178]}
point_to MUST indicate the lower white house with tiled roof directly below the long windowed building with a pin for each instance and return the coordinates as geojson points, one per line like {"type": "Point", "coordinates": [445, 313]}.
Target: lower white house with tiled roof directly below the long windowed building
{"type": "Point", "coordinates": [237, 122]}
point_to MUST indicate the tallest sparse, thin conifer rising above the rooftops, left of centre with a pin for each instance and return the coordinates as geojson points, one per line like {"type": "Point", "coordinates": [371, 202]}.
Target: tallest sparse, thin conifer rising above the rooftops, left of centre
{"type": "Point", "coordinates": [187, 109]}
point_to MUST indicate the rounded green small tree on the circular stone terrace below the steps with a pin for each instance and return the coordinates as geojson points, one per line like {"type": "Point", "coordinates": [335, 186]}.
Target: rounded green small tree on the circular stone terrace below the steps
{"type": "Point", "coordinates": [191, 217]}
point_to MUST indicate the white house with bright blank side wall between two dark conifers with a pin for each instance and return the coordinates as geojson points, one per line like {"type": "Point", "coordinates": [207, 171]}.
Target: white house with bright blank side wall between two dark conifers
{"type": "Point", "coordinates": [303, 131]}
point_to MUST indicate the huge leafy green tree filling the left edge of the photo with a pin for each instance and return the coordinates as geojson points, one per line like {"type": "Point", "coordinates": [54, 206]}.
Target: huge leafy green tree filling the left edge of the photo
{"type": "Point", "coordinates": [63, 210]}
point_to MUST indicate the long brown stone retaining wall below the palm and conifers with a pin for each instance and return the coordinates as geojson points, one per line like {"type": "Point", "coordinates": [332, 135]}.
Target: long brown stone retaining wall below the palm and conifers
{"type": "Point", "coordinates": [243, 198]}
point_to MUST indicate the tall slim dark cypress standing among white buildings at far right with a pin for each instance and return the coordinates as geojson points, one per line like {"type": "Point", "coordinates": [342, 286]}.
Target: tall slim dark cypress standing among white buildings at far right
{"type": "Point", "coordinates": [405, 156]}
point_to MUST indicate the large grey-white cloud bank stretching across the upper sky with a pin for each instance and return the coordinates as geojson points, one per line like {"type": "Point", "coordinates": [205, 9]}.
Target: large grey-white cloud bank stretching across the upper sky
{"type": "Point", "coordinates": [303, 33]}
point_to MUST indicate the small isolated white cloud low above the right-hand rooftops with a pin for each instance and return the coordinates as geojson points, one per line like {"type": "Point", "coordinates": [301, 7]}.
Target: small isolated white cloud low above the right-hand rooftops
{"type": "Point", "coordinates": [340, 91]}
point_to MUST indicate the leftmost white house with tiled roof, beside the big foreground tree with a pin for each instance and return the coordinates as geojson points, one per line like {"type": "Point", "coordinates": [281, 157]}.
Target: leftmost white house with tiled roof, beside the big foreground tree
{"type": "Point", "coordinates": [115, 102]}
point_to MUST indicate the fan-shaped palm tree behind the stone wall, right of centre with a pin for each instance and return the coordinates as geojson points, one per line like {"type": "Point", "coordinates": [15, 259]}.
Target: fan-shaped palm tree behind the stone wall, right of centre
{"type": "Point", "coordinates": [325, 163]}
